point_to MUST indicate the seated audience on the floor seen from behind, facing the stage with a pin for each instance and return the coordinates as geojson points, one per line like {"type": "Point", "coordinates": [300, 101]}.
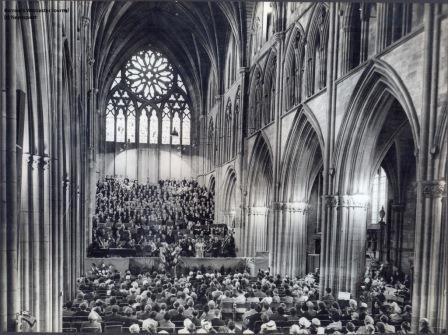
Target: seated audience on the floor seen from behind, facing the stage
{"type": "Point", "coordinates": [195, 302]}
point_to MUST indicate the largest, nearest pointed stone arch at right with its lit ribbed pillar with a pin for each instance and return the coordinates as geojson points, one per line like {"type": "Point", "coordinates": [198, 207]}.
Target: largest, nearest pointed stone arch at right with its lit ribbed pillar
{"type": "Point", "coordinates": [378, 107]}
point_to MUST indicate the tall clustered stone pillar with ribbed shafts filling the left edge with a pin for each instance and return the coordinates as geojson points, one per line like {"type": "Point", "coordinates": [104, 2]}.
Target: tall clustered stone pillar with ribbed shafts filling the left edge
{"type": "Point", "coordinates": [42, 217]}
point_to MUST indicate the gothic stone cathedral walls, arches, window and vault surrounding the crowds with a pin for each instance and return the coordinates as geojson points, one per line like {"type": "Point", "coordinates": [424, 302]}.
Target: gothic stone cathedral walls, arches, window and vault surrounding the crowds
{"type": "Point", "coordinates": [320, 127]}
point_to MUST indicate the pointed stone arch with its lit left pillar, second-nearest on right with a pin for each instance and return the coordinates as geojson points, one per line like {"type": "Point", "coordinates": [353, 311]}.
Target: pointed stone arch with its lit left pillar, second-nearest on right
{"type": "Point", "coordinates": [302, 164]}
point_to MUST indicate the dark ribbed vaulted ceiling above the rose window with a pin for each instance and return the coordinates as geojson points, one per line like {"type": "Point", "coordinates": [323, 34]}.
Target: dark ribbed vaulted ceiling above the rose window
{"type": "Point", "coordinates": [193, 35]}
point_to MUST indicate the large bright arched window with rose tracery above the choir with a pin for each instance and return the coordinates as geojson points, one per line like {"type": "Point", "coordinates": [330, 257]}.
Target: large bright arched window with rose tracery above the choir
{"type": "Point", "coordinates": [147, 85]}
